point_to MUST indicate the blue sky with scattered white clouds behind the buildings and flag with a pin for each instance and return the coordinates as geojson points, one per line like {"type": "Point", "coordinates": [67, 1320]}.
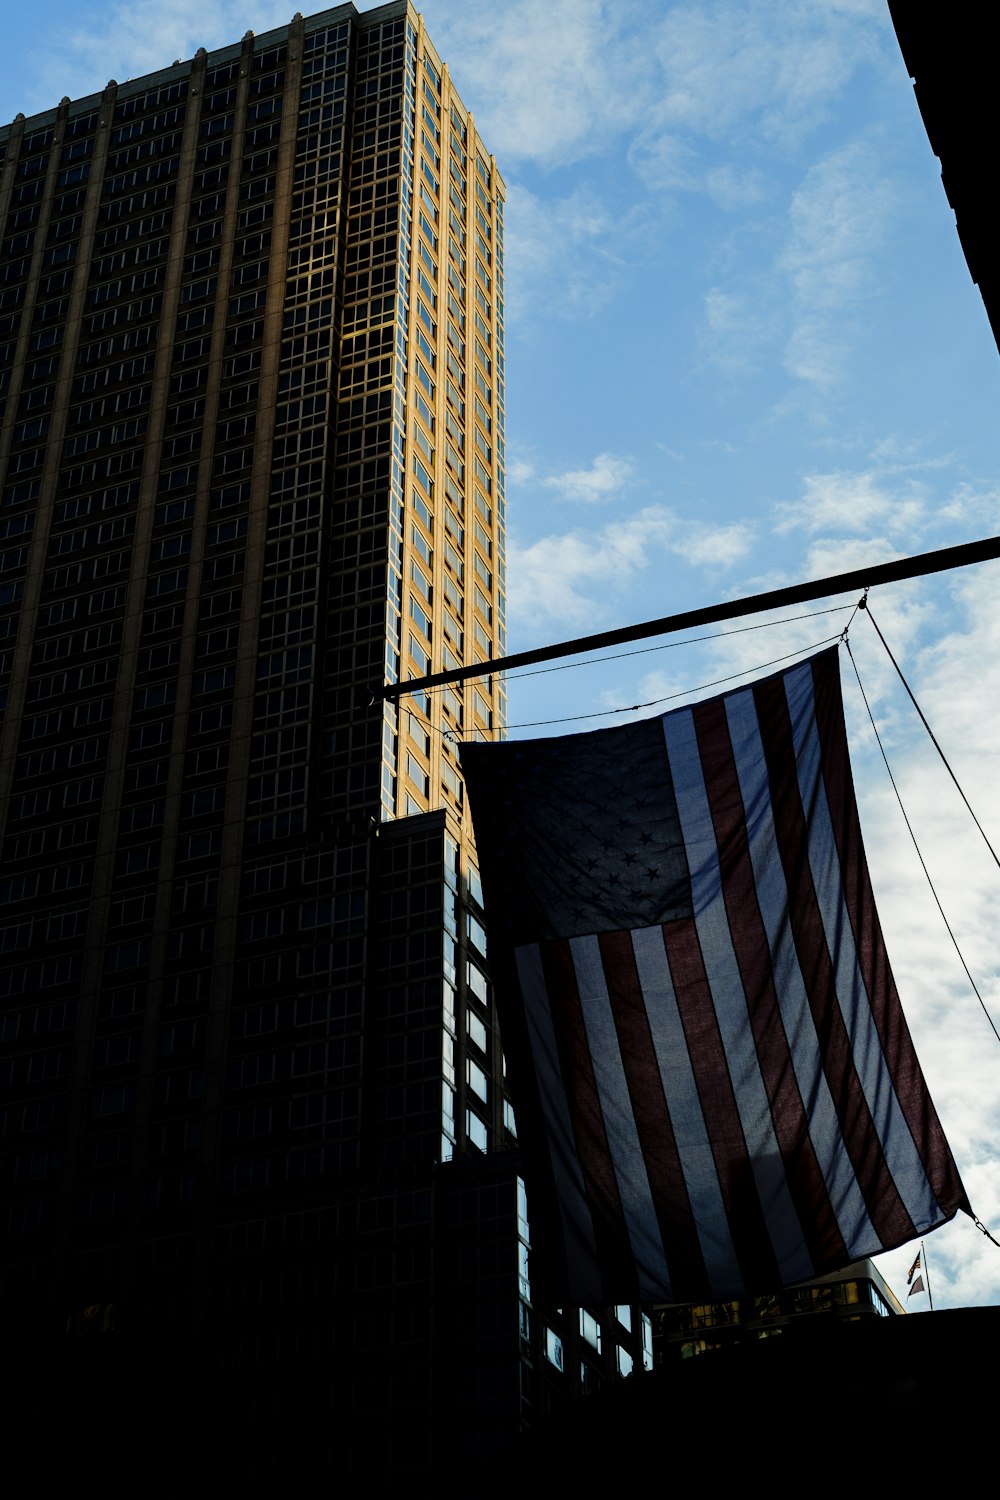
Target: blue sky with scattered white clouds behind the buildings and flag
{"type": "Point", "coordinates": [744, 350]}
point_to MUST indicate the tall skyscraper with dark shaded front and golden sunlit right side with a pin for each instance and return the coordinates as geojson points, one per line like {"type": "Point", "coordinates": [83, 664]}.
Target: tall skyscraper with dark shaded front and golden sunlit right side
{"type": "Point", "coordinates": [253, 452]}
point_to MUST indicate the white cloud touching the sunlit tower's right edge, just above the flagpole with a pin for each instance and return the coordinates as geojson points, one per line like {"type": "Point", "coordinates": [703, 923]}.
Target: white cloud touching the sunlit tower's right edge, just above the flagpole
{"type": "Point", "coordinates": [570, 580]}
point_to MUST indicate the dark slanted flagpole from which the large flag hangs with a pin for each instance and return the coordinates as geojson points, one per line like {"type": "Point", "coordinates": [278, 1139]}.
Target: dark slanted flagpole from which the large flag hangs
{"type": "Point", "coordinates": [858, 578]}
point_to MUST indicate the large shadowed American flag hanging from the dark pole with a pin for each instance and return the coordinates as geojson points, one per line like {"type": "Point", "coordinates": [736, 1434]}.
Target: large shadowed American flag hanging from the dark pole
{"type": "Point", "coordinates": [714, 1082]}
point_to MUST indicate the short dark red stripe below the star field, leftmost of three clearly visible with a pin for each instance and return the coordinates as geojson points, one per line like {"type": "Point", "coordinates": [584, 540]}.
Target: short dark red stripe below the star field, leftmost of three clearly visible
{"type": "Point", "coordinates": [611, 1235]}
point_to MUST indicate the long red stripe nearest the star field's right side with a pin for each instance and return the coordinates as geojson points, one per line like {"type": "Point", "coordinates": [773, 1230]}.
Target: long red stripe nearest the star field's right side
{"type": "Point", "coordinates": [753, 955]}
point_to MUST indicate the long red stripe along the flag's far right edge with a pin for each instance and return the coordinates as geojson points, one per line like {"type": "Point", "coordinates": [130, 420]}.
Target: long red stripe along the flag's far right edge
{"type": "Point", "coordinates": [873, 959]}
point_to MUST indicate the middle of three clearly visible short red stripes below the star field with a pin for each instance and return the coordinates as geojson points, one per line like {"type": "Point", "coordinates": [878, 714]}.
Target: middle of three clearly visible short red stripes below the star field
{"type": "Point", "coordinates": [665, 1172]}
